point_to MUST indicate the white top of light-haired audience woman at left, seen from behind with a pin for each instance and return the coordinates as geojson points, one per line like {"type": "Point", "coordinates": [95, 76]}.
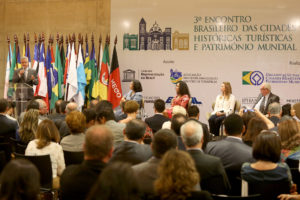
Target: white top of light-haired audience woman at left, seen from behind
{"type": "Point", "coordinates": [56, 155]}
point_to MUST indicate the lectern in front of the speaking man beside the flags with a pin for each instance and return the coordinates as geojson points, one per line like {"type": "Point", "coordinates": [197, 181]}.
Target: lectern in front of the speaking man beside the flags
{"type": "Point", "coordinates": [23, 93]}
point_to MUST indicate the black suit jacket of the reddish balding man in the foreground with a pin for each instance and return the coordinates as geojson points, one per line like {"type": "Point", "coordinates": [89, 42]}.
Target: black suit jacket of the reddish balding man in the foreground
{"type": "Point", "coordinates": [77, 180]}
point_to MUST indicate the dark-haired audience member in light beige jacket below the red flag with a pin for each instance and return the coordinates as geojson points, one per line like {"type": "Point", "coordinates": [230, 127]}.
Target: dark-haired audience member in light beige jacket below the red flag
{"type": "Point", "coordinates": [105, 115]}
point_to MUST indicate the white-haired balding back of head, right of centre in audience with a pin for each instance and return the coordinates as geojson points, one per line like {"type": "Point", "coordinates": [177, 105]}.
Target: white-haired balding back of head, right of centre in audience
{"type": "Point", "coordinates": [191, 133]}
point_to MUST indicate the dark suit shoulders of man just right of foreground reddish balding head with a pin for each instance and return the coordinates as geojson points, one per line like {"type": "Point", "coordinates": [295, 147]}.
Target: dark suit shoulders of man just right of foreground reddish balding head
{"type": "Point", "coordinates": [131, 152]}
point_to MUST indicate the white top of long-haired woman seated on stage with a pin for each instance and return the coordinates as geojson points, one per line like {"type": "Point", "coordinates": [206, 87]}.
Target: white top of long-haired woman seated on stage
{"type": "Point", "coordinates": [227, 105]}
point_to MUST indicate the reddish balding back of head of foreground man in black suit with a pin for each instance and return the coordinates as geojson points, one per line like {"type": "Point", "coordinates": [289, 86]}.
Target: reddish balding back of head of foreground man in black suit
{"type": "Point", "coordinates": [98, 143]}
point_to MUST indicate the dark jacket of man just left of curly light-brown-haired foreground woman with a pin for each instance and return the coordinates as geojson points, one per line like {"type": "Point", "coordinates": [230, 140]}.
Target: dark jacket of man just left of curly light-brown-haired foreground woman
{"type": "Point", "coordinates": [146, 174]}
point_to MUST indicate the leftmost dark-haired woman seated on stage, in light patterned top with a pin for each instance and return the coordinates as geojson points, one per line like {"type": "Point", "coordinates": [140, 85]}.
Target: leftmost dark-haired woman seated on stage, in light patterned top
{"type": "Point", "coordinates": [135, 92]}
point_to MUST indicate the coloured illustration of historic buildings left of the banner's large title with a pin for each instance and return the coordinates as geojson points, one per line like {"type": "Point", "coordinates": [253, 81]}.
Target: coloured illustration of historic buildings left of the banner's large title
{"type": "Point", "coordinates": [155, 39]}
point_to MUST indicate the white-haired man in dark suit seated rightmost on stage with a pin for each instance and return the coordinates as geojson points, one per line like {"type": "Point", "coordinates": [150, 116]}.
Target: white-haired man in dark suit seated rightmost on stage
{"type": "Point", "coordinates": [265, 98]}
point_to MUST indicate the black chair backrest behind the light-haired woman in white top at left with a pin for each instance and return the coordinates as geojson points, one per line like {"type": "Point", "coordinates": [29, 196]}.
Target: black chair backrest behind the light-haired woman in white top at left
{"type": "Point", "coordinates": [43, 164]}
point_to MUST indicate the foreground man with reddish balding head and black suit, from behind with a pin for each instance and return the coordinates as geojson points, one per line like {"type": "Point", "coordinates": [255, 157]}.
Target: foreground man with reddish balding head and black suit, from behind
{"type": "Point", "coordinates": [77, 180]}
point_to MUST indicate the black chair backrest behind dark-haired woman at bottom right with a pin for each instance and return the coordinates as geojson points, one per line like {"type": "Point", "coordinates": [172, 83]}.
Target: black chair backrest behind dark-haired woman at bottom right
{"type": "Point", "coordinates": [269, 189]}
